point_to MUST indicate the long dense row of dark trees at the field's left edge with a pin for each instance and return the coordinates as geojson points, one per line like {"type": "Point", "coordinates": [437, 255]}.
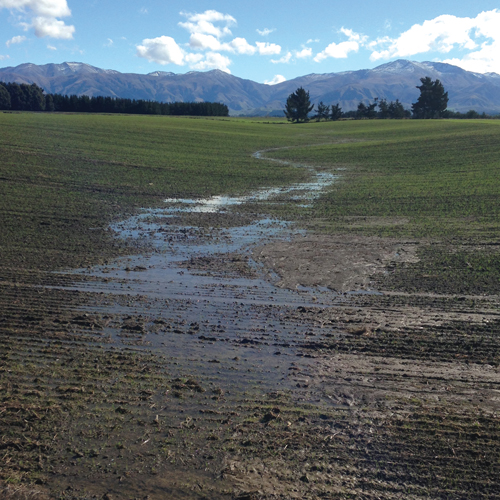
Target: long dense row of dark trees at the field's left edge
{"type": "Point", "coordinates": [24, 97]}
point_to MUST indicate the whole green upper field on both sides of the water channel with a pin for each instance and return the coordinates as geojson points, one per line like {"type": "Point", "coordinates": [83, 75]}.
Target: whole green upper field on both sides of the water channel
{"type": "Point", "coordinates": [65, 176]}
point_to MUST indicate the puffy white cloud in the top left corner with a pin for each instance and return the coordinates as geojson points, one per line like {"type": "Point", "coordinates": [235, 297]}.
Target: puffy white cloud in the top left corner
{"type": "Point", "coordinates": [42, 16]}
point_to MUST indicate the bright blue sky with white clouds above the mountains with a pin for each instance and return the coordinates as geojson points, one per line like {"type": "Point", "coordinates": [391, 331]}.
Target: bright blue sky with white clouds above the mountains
{"type": "Point", "coordinates": [267, 41]}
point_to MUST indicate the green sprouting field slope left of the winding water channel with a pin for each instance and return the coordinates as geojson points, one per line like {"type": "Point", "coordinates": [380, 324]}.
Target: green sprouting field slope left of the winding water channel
{"type": "Point", "coordinates": [62, 175]}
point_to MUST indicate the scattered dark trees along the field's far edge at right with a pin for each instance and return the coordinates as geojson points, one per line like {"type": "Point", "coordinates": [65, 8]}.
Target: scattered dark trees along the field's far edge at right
{"type": "Point", "coordinates": [432, 103]}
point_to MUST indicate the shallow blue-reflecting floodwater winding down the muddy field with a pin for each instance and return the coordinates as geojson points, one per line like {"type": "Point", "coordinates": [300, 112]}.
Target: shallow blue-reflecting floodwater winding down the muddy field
{"type": "Point", "coordinates": [201, 299]}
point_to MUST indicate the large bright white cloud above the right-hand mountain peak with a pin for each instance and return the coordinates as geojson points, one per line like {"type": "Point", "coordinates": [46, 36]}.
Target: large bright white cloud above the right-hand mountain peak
{"type": "Point", "coordinates": [480, 36]}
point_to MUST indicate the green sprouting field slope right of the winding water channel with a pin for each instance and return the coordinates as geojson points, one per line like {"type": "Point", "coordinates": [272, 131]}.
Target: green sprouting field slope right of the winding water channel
{"type": "Point", "coordinates": [442, 176]}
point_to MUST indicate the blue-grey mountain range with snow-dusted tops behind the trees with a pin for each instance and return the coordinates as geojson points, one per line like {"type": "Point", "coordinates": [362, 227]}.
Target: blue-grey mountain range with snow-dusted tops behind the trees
{"type": "Point", "coordinates": [394, 80]}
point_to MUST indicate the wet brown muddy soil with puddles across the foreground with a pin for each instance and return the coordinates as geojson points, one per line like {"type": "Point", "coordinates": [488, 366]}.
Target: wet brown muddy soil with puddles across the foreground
{"type": "Point", "coordinates": [239, 357]}
